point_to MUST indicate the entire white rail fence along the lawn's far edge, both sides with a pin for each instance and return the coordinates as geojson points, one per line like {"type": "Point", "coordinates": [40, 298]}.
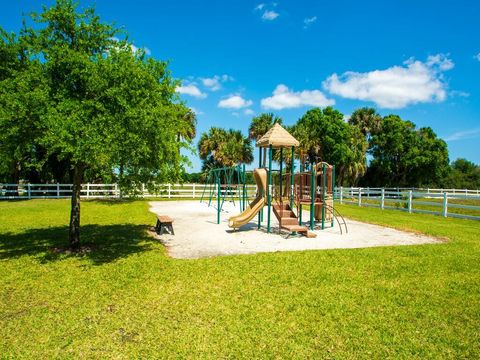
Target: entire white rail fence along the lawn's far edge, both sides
{"type": "Point", "coordinates": [460, 203]}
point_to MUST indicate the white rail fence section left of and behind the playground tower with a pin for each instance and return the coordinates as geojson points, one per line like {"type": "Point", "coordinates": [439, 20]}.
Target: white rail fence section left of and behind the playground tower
{"type": "Point", "coordinates": [99, 191]}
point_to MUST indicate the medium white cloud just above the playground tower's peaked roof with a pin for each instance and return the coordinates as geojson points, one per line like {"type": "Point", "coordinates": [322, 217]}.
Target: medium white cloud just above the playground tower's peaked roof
{"type": "Point", "coordinates": [284, 98]}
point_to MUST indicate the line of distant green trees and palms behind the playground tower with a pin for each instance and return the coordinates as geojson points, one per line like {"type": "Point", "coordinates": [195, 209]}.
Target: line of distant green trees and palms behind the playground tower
{"type": "Point", "coordinates": [368, 149]}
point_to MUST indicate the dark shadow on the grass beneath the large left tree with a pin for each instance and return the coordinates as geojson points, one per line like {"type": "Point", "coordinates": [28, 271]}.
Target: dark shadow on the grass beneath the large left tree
{"type": "Point", "coordinates": [100, 243]}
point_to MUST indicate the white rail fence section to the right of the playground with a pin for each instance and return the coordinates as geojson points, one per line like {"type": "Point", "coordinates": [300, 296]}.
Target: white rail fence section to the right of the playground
{"type": "Point", "coordinates": [458, 203]}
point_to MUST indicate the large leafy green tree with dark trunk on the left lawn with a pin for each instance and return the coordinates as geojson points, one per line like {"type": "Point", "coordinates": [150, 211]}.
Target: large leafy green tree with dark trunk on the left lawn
{"type": "Point", "coordinates": [103, 106]}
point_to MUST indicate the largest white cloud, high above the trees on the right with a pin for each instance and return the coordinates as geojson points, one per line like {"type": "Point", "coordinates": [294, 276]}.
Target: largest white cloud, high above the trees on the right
{"type": "Point", "coordinates": [397, 86]}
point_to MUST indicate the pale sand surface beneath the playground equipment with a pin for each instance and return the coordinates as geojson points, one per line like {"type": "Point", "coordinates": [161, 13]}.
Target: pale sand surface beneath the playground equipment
{"type": "Point", "coordinates": [198, 235]}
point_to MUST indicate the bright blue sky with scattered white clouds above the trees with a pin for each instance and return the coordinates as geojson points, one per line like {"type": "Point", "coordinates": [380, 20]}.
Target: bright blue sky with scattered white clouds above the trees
{"type": "Point", "coordinates": [418, 59]}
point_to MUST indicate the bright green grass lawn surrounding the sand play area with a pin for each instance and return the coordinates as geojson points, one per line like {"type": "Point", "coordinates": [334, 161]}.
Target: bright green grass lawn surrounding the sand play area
{"type": "Point", "coordinates": [128, 299]}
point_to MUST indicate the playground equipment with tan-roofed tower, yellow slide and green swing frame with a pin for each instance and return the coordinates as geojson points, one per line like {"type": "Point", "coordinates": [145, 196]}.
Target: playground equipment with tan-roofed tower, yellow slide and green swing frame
{"type": "Point", "coordinates": [279, 190]}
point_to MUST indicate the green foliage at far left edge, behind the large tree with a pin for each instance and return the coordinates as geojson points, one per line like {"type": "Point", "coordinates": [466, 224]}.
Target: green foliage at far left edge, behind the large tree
{"type": "Point", "coordinates": [23, 91]}
